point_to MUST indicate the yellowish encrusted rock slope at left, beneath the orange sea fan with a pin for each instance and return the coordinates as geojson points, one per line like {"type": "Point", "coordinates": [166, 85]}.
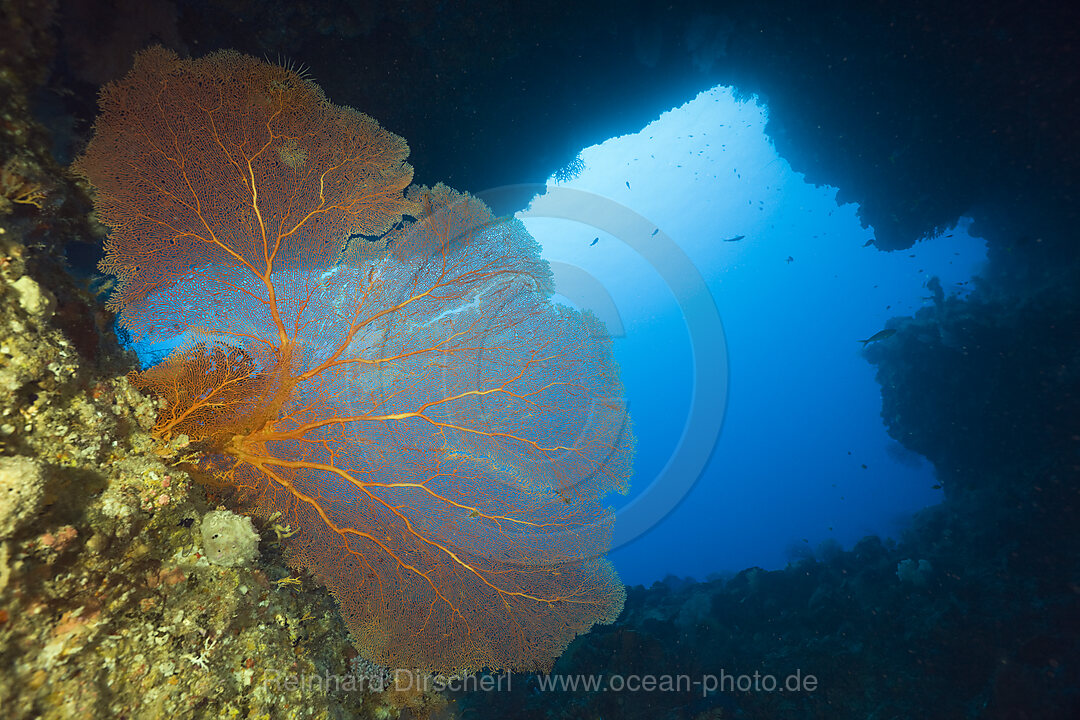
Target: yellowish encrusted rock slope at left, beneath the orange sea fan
{"type": "Point", "coordinates": [109, 607]}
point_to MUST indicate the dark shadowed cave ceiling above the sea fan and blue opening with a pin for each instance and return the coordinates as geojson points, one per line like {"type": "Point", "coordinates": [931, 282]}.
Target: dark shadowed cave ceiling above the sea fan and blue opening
{"type": "Point", "coordinates": [920, 112]}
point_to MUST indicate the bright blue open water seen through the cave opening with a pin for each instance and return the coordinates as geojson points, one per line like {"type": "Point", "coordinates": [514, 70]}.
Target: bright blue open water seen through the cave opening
{"type": "Point", "coordinates": [803, 456]}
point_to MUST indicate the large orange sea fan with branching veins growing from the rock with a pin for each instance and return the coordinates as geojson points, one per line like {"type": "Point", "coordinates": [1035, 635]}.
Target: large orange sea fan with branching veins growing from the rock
{"type": "Point", "coordinates": [383, 365]}
